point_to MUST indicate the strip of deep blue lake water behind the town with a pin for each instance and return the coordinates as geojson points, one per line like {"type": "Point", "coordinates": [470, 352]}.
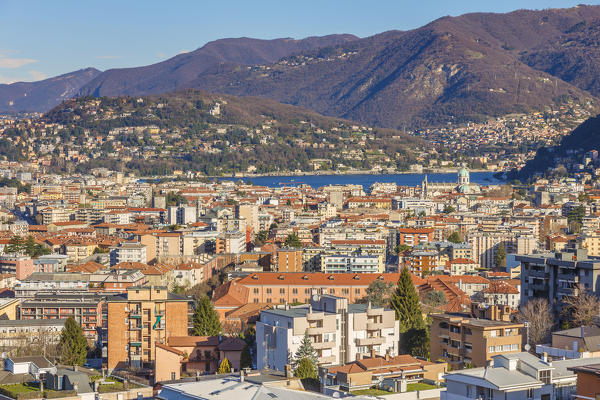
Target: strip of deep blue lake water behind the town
{"type": "Point", "coordinates": [366, 180]}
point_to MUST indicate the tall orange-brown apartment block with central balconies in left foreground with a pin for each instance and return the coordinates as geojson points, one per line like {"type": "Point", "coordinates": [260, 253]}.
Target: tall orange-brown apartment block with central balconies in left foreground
{"type": "Point", "coordinates": [137, 320]}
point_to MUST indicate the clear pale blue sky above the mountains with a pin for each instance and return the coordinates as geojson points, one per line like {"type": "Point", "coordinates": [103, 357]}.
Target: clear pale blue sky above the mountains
{"type": "Point", "coordinates": [45, 38]}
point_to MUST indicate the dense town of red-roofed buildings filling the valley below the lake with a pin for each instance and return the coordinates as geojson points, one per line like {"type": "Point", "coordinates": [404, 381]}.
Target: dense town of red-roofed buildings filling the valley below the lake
{"type": "Point", "coordinates": [113, 286]}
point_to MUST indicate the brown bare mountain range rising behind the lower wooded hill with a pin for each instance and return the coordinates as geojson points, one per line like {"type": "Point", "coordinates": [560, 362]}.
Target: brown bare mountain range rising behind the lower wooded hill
{"type": "Point", "coordinates": [457, 69]}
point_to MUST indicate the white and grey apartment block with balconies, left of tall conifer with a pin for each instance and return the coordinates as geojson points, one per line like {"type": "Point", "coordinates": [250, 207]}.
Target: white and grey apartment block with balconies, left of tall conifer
{"type": "Point", "coordinates": [340, 332]}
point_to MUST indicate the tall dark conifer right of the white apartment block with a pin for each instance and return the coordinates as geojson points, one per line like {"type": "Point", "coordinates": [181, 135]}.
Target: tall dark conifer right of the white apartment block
{"type": "Point", "coordinates": [405, 302]}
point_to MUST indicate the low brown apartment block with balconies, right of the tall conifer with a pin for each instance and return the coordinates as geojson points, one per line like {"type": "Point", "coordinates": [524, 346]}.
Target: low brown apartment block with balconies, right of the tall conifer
{"type": "Point", "coordinates": [461, 341]}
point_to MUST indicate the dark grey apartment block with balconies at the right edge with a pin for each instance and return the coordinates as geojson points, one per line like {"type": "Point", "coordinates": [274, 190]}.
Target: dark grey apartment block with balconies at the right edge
{"type": "Point", "coordinates": [553, 276]}
